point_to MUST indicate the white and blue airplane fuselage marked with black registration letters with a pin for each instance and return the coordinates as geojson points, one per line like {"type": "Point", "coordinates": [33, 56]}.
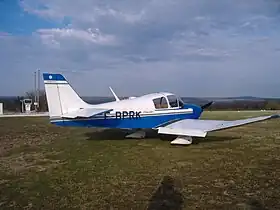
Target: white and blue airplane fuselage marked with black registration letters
{"type": "Point", "coordinates": [135, 113]}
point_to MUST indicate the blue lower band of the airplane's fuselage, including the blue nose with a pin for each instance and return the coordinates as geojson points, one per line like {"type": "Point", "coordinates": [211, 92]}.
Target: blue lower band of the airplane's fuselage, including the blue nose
{"type": "Point", "coordinates": [142, 122]}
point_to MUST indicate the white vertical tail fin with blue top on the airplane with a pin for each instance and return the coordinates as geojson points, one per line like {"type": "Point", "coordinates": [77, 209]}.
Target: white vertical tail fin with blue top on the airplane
{"type": "Point", "coordinates": [61, 97]}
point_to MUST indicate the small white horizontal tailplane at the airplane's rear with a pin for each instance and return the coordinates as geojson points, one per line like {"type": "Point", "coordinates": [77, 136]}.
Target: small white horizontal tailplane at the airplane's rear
{"type": "Point", "coordinates": [85, 113]}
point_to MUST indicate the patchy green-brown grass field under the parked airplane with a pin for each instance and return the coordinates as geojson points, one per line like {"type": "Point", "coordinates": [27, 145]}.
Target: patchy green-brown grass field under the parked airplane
{"type": "Point", "coordinates": [48, 167]}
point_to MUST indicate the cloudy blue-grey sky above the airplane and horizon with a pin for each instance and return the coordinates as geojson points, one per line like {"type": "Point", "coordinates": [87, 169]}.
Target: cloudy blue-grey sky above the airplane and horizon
{"type": "Point", "coordinates": [196, 48]}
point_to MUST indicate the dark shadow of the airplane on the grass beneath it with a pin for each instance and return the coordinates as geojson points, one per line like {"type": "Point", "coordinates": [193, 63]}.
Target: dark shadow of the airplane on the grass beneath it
{"type": "Point", "coordinates": [117, 134]}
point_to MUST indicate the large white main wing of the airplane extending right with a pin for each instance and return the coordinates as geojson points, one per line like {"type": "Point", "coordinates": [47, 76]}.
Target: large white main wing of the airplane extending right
{"type": "Point", "coordinates": [200, 128]}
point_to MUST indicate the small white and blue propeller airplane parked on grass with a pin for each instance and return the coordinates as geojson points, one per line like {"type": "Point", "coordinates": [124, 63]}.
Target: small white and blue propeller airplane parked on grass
{"type": "Point", "coordinates": [164, 112]}
